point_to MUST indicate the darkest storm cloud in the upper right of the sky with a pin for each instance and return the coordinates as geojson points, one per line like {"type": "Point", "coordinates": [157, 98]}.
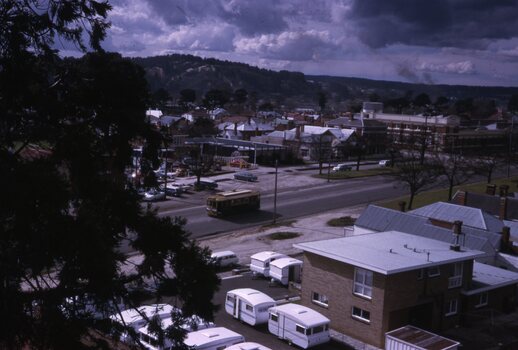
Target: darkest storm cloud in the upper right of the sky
{"type": "Point", "coordinates": [437, 23]}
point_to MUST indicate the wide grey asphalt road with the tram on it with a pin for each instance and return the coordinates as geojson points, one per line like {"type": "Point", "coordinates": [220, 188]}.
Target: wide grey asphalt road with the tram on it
{"type": "Point", "coordinates": [291, 203]}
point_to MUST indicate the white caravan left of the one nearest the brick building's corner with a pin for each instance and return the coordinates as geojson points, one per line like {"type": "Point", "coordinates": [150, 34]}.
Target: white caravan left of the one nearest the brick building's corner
{"type": "Point", "coordinates": [248, 305]}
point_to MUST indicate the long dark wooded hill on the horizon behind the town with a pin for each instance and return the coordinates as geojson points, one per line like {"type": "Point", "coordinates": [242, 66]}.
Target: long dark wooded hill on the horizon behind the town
{"type": "Point", "coordinates": [177, 72]}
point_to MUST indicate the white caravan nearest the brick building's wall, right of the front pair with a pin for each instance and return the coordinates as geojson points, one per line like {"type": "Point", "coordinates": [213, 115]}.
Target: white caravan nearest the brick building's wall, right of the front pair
{"type": "Point", "coordinates": [299, 325]}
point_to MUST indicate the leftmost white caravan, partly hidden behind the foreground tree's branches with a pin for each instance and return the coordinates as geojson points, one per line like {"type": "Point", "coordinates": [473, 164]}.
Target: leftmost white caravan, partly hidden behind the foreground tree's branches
{"type": "Point", "coordinates": [136, 318]}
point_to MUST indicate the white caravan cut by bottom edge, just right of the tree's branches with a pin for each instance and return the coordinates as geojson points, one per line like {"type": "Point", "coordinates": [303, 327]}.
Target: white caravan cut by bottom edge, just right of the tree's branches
{"type": "Point", "coordinates": [213, 339]}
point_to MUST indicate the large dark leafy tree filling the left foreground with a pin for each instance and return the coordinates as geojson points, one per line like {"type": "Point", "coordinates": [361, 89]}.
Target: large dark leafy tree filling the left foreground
{"type": "Point", "coordinates": [66, 133]}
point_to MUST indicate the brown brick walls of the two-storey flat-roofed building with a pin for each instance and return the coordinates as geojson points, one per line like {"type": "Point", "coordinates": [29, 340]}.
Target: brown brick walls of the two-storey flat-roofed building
{"type": "Point", "coordinates": [392, 297]}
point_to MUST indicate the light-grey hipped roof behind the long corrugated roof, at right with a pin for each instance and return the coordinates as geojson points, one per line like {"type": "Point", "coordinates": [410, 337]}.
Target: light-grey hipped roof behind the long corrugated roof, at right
{"type": "Point", "coordinates": [469, 216]}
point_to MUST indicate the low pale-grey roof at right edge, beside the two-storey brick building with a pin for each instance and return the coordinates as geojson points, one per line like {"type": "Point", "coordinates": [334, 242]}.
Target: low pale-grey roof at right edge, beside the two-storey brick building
{"type": "Point", "coordinates": [487, 277]}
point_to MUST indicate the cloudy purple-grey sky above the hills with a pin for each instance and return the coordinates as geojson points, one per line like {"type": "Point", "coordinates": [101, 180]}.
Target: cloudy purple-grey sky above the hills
{"type": "Point", "coordinates": [470, 42]}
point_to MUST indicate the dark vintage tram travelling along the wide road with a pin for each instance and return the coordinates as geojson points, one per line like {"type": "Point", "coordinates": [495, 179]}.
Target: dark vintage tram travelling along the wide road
{"type": "Point", "coordinates": [226, 203]}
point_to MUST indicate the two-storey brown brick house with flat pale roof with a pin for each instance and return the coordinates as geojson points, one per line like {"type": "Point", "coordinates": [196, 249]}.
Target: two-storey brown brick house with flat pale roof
{"type": "Point", "coordinates": [370, 284]}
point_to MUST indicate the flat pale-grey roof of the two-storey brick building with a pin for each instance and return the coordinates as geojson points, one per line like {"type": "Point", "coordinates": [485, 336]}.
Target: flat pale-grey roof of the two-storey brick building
{"type": "Point", "coordinates": [388, 252]}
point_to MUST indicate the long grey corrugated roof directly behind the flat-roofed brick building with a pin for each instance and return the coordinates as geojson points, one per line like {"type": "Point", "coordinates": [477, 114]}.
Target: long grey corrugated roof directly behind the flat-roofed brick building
{"type": "Point", "coordinates": [382, 219]}
